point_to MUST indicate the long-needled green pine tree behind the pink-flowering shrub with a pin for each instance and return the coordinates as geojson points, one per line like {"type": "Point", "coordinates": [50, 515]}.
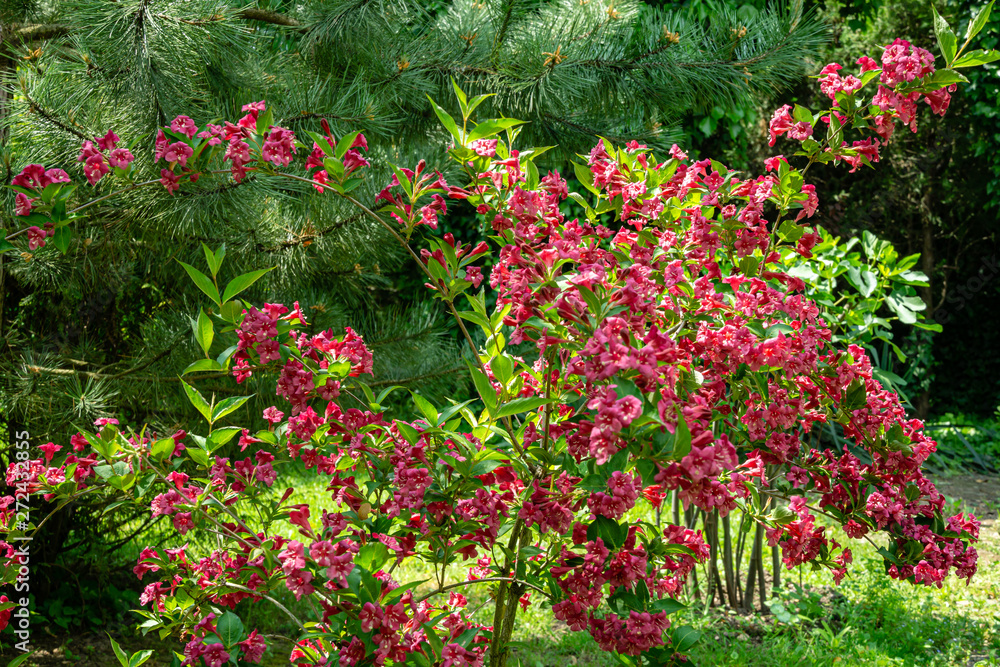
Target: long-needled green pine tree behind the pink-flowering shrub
{"type": "Point", "coordinates": [105, 328]}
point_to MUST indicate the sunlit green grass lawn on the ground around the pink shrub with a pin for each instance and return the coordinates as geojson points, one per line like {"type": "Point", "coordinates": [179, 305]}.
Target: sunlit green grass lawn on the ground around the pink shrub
{"type": "Point", "coordinates": [869, 620]}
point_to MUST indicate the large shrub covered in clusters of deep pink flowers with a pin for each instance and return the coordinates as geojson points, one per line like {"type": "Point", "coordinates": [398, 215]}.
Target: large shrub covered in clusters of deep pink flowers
{"type": "Point", "coordinates": [658, 343]}
